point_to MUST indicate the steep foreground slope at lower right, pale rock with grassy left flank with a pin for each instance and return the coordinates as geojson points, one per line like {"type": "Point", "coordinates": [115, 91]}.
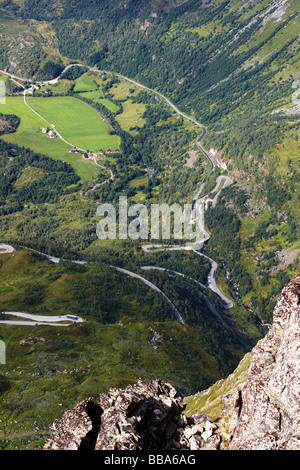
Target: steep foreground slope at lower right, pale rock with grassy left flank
{"type": "Point", "coordinates": [257, 407]}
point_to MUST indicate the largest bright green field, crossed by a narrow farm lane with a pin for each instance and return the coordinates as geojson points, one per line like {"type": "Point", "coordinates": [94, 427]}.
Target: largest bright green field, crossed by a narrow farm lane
{"type": "Point", "coordinates": [77, 122]}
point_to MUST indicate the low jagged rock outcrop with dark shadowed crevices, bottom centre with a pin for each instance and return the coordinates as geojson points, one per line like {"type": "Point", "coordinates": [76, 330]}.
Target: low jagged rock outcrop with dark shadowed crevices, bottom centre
{"type": "Point", "coordinates": [144, 416]}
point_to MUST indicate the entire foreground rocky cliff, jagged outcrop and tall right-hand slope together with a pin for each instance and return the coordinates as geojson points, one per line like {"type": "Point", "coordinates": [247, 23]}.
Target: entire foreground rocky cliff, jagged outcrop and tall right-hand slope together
{"type": "Point", "coordinates": [258, 405]}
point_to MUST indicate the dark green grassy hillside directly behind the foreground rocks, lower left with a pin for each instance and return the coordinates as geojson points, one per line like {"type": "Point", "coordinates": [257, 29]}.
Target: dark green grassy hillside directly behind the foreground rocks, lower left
{"type": "Point", "coordinates": [49, 369]}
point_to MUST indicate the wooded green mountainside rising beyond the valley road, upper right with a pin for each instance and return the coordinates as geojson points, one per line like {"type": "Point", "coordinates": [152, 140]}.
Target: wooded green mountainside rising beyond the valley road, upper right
{"type": "Point", "coordinates": [233, 65]}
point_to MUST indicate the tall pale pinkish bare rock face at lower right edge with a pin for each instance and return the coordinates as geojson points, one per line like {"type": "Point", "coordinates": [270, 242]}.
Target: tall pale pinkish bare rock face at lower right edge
{"type": "Point", "coordinates": [268, 415]}
